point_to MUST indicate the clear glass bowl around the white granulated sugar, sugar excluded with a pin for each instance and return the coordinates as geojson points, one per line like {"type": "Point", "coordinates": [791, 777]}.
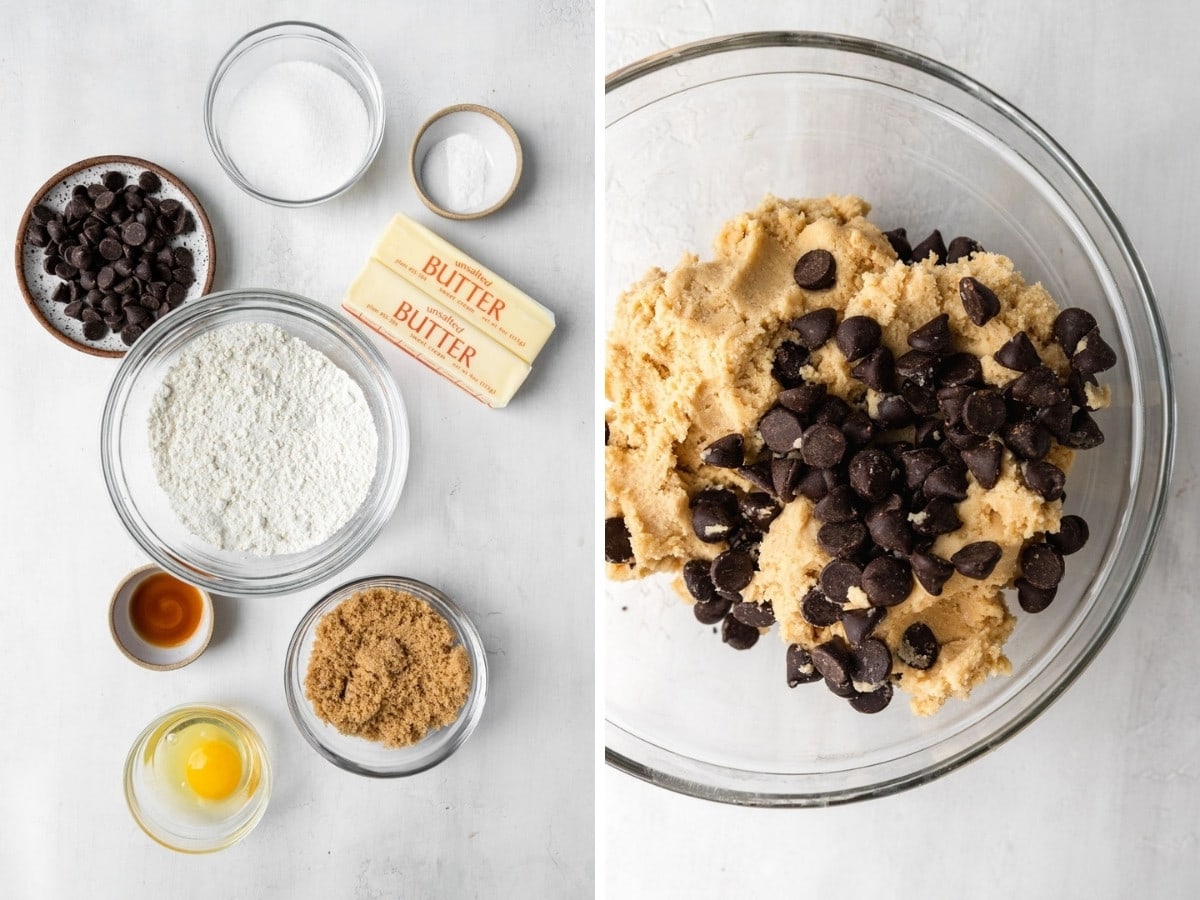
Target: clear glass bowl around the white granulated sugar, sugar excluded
{"type": "Point", "coordinates": [286, 43]}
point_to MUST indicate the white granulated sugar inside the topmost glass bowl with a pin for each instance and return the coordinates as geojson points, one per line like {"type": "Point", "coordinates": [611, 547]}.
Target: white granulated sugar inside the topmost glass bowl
{"type": "Point", "coordinates": [297, 131]}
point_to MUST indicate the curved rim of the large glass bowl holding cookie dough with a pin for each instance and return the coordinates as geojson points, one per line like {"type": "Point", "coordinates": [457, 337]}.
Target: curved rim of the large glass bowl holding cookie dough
{"type": "Point", "coordinates": [663, 767]}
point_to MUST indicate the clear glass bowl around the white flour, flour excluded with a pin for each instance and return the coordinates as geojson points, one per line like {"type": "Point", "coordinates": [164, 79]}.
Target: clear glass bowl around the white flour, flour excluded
{"type": "Point", "coordinates": [142, 505]}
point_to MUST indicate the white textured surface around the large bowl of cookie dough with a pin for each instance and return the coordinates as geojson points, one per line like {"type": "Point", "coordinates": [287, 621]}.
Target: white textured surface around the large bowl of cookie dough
{"type": "Point", "coordinates": [1097, 799]}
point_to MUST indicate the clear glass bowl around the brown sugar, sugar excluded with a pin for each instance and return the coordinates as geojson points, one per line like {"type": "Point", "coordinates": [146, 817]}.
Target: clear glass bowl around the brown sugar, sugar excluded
{"type": "Point", "coordinates": [369, 758]}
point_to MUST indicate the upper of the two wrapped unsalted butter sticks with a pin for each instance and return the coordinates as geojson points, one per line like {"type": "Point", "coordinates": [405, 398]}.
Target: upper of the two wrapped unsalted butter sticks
{"type": "Point", "coordinates": [515, 320]}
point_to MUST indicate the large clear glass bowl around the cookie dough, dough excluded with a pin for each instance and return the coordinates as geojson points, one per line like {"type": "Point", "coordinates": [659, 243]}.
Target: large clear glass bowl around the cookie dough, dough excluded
{"type": "Point", "coordinates": [695, 136]}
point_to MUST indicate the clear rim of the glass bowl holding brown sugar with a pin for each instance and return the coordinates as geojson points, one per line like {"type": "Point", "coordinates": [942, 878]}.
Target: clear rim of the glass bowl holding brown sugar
{"type": "Point", "coordinates": [469, 637]}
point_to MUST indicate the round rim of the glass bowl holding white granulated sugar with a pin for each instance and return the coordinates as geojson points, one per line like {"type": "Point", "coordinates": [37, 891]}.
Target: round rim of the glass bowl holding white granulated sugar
{"type": "Point", "coordinates": [313, 32]}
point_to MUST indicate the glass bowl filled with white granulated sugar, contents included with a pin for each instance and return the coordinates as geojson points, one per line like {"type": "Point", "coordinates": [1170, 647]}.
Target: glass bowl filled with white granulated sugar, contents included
{"type": "Point", "coordinates": [295, 115]}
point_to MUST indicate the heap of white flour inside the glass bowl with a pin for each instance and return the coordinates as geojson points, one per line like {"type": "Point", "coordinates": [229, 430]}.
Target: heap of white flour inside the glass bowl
{"type": "Point", "coordinates": [262, 445]}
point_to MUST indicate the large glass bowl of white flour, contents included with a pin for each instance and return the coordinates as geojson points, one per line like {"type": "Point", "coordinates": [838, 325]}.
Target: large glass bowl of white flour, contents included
{"type": "Point", "coordinates": [254, 443]}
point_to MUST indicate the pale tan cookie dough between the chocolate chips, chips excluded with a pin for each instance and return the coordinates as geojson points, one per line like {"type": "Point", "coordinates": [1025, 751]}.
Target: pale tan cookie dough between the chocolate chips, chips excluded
{"type": "Point", "coordinates": [689, 361]}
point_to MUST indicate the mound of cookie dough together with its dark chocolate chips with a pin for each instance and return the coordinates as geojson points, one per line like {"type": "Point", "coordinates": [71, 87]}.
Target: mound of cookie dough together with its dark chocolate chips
{"type": "Point", "coordinates": [860, 442]}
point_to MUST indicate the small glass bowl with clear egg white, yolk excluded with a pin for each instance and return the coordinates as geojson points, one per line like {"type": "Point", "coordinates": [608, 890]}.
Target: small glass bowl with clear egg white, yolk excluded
{"type": "Point", "coordinates": [194, 826]}
